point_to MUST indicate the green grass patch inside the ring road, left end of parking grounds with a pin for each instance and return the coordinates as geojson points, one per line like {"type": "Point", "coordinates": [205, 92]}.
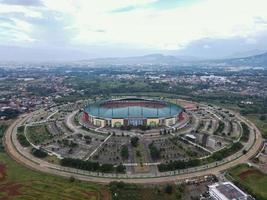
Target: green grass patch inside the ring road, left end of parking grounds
{"type": "Point", "coordinates": [38, 134]}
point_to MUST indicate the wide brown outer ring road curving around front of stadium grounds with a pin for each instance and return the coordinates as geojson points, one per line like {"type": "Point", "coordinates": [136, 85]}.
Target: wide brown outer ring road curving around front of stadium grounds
{"type": "Point", "coordinates": [31, 162]}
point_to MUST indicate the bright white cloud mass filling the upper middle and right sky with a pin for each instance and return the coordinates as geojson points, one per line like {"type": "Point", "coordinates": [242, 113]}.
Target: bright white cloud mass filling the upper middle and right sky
{"type": "Point", "coordinates": [93, 22]}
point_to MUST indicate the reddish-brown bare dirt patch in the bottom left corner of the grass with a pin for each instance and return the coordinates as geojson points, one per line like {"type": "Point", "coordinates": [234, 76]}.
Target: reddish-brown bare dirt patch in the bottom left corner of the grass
{"type": "Point", "coordinates": [10, 189]}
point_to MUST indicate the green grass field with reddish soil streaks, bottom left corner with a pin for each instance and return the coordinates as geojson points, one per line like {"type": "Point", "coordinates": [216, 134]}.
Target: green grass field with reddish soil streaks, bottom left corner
{"type": "Point", "coordinates": [18, 182]}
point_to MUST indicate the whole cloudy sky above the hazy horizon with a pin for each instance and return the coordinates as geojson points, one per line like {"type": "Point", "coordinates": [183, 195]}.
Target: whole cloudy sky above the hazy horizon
{"type": "Point", "coordinates": [83, 29]}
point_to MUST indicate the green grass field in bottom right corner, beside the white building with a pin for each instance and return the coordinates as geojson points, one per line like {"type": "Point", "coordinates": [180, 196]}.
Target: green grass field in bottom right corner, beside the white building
{"type": "Point", "coordinates": [251, 179]}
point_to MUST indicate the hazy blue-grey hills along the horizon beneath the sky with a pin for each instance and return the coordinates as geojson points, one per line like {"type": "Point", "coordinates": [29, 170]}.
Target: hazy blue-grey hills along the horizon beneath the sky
{"type": "Point", "coordinates": [160, 59]}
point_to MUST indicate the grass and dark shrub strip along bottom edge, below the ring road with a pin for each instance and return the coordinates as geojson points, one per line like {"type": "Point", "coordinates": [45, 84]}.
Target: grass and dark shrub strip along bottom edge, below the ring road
{"type": "Point", "coordinates": [20, 183]}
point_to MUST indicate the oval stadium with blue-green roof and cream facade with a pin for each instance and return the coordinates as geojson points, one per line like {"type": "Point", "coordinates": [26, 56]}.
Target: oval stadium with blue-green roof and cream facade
{"type": "Point", "coordinates": [132, 112]}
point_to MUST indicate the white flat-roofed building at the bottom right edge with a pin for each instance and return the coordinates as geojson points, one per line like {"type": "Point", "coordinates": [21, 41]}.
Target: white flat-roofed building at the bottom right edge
{"type": "Point", "coordinates": [227, 191]}
